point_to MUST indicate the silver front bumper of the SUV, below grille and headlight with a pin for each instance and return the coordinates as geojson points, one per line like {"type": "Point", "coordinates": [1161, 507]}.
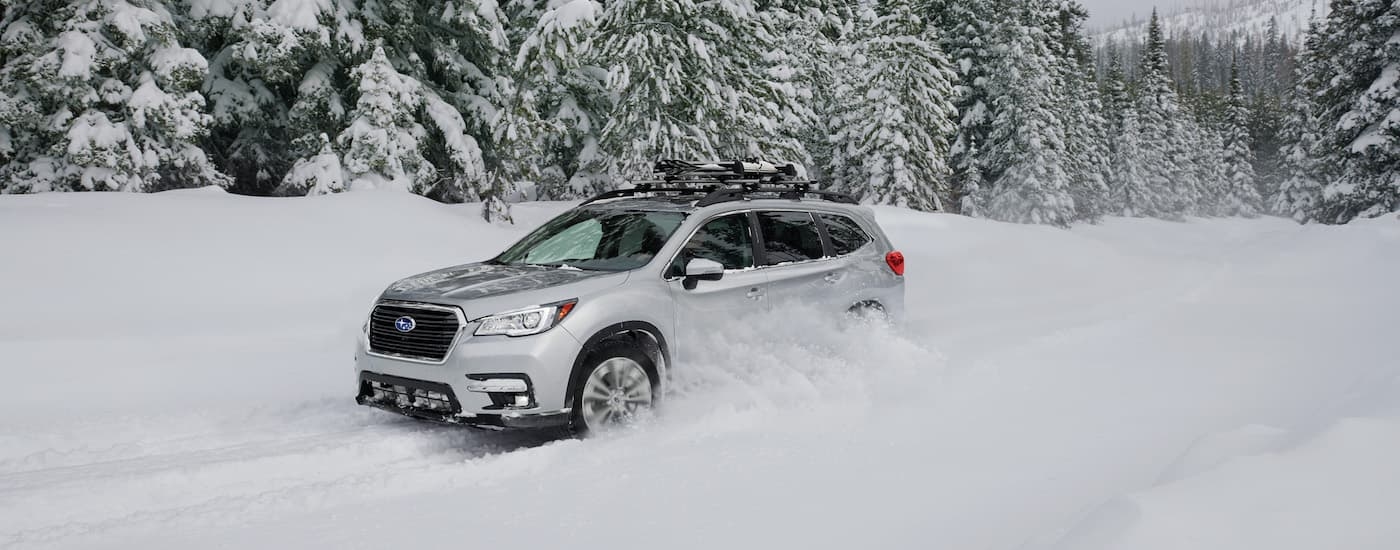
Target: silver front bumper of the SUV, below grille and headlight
{"type": "Point", "coordinates": [478, 384]}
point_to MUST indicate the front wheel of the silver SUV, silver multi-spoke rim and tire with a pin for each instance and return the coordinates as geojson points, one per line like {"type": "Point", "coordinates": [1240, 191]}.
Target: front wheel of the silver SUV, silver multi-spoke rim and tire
{"type": "Point", "coordinates": [618, 387]}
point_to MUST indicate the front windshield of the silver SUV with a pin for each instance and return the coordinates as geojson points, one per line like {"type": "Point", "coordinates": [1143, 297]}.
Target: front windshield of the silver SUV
{"type": "Point", "coordinates": [596, 240]}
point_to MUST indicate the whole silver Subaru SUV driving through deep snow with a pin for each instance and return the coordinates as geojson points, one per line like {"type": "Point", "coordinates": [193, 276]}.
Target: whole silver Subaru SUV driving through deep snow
{"type": "Point", "coordinates": [577, 324]}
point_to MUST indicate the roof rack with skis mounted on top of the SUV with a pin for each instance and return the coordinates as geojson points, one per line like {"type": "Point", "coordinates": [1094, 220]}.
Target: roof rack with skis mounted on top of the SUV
{"type": "Point", "coordinates": [723, 183]}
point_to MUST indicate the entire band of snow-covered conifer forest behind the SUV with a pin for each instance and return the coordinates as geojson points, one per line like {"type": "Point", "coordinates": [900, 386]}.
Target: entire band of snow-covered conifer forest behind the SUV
{"type": "Point", "coordinates": [992, 108]}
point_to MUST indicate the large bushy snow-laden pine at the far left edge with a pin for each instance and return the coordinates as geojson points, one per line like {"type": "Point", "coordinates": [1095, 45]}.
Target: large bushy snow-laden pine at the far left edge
{"type": "Point", "coordinates": [101, 96]}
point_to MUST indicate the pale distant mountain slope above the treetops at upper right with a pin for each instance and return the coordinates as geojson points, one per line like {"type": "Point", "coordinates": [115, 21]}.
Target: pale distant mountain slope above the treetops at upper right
{"type": "Point", "coordinates": [1223, 17]}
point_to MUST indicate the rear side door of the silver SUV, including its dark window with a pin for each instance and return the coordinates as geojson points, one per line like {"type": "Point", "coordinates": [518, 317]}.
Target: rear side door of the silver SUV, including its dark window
{"type": "Point", "coordinates": [793, 253]}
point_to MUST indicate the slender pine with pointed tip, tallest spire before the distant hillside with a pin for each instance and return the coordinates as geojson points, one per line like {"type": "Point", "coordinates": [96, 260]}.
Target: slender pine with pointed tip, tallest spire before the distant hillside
{"type": "Point", "coordinates": [1158, 114]}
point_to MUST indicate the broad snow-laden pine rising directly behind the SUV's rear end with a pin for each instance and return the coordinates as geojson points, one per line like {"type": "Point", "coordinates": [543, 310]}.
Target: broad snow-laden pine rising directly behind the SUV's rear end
{"type": "Point", "coordinates": [894, 113]}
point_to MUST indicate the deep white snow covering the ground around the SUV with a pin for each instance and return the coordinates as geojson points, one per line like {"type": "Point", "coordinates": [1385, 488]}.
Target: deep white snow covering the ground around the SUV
{"type": "Point", "coordinates": [177, 374]}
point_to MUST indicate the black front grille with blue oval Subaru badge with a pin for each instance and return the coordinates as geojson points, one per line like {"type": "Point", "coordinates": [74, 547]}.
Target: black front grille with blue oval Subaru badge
{"type": "Point", "coordinates": [430, 339]}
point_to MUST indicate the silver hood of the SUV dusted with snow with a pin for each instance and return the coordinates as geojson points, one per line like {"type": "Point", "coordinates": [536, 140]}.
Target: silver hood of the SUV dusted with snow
{"type": "Point", "coordinates": [475, 286]}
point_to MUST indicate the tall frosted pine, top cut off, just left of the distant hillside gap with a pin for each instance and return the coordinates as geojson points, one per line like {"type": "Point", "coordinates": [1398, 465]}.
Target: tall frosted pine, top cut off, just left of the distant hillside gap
{"type": "Point", "coordinates": [1027, 142]}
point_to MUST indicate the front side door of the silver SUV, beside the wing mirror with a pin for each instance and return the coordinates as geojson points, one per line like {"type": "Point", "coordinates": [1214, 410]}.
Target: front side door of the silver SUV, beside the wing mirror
{"type": "Point", "coordinates": [743, 290]}
